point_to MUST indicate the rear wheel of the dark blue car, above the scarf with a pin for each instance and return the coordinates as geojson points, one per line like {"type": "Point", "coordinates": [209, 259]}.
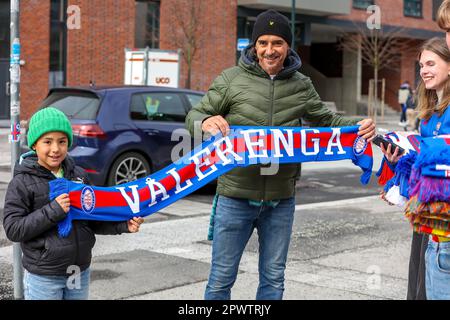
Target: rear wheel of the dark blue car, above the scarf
{"type": "Point", "coordinates": [128, 167]}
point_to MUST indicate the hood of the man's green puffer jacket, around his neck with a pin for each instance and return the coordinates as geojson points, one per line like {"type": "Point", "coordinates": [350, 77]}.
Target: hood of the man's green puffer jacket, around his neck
{"type": "Point", "coordinates": [249, 62]}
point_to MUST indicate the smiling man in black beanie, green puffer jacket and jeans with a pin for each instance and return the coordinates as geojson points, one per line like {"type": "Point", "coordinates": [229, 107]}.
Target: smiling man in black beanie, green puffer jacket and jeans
{"type": "Point", "coordinates": [265, 89]}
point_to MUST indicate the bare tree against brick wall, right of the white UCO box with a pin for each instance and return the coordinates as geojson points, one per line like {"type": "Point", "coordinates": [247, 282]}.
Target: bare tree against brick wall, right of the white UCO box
{"type": "Point", "coordinates": [187, 35]}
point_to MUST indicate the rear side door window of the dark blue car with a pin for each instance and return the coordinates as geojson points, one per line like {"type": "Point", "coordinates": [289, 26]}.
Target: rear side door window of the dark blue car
{"type": "Point", "coordinates": [157, 107]}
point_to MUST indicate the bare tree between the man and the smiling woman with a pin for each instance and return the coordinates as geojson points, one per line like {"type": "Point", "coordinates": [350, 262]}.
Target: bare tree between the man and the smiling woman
{"type": "Point", "coordinates": [379, 49]}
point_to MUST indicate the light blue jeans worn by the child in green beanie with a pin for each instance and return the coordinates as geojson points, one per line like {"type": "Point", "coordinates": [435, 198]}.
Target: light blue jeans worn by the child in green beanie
{"type": "Point", "coordinates": [38, 287]}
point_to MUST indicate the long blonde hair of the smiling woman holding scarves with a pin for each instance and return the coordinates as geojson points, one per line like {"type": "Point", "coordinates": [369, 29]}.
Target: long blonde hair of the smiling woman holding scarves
{"type": "Point", "coordinates": [427, 99]}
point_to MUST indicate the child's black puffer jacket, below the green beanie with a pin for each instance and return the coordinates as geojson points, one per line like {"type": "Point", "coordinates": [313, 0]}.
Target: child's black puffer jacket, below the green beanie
{"type": "Point", "coordinates": [31, 219]}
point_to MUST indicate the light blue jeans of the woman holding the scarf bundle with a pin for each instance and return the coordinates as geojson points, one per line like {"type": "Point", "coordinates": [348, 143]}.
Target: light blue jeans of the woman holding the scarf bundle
{"type": "Point", "coordinates": [437, 268]}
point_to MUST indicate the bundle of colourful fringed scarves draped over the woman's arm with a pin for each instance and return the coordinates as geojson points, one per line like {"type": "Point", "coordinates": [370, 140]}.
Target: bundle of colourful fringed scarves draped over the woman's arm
{"type": "Point", "coordinates": [422, 176]}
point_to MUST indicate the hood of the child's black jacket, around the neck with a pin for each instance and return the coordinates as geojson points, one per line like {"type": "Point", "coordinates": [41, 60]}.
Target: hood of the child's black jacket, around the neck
{"type": "Point", "coordinates": [27, 163]}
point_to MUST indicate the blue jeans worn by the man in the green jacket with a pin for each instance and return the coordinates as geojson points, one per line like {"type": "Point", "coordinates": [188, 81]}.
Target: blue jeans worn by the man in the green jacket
{"type": "Point", "coordinates": [234, 222]}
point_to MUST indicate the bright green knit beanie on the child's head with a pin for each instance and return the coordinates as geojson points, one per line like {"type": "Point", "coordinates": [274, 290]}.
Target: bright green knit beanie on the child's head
{"type": "Point", "coordinates": [47, 120]}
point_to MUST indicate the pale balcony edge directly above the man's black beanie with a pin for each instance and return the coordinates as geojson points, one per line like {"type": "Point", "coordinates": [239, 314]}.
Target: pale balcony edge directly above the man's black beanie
{"type": "Point", "coordinates": [309, 7]}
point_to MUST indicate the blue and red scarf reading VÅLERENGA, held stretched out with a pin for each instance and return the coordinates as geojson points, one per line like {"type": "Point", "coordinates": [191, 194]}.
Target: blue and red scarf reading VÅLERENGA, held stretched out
{"type": "Point", "coordinates": [243, 147]}
